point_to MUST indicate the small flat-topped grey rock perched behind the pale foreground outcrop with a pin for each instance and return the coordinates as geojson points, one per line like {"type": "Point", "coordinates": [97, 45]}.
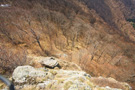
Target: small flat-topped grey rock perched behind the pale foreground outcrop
{"type": "Point", "coordinates": [49, 62]}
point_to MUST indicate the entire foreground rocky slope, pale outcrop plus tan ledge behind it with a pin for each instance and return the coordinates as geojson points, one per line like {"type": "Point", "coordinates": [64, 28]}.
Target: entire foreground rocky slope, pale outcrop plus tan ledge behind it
{"type": "Point", "coordinates": [43, 78]}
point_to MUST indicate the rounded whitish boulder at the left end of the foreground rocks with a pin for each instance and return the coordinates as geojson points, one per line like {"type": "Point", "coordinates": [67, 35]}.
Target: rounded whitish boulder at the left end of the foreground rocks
{"type": "Point", "coordinates": [27, 74]}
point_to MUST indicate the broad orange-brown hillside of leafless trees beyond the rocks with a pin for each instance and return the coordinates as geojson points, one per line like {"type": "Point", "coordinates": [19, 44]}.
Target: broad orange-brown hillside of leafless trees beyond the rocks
{"type": "Point", "coordinates": [95, 35]}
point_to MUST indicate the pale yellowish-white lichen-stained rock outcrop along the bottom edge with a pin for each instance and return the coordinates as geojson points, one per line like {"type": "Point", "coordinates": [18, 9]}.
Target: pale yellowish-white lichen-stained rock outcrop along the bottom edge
{"type": "Point", "coordinates": [27, 77]}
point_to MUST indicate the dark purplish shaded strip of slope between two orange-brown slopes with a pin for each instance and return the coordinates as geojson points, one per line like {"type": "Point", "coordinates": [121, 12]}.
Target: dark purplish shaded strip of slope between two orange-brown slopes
{"type": "Point", "coordinates": [102, 9]}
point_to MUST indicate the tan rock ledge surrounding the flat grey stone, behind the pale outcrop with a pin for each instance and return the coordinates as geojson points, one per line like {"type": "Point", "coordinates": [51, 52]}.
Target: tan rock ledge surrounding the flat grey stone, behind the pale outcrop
{"type": "Point", "coordinates": [65, 65]}
